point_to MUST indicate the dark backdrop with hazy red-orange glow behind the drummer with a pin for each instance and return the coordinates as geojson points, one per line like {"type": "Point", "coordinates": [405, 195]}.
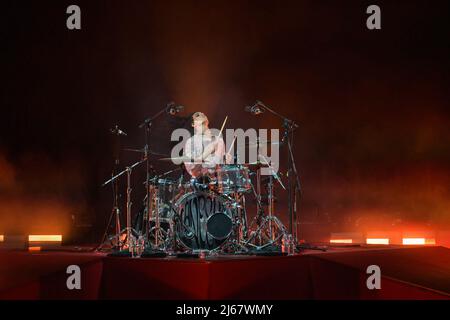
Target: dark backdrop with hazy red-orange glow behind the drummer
{"type": "Point", "coordinates": [373, 143]}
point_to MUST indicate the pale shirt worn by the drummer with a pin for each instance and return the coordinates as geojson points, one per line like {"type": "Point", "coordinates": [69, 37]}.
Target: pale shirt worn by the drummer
{"type": "Point", "coordinates": [194, 148]}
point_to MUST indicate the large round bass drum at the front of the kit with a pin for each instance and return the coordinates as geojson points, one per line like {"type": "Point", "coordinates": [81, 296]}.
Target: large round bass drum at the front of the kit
{"type": "Point", "coordinates": [204, 220]}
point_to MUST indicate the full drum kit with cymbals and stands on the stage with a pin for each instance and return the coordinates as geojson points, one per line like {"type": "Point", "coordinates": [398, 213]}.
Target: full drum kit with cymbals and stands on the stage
{"type": "Point", "coordinates": [198, 216]}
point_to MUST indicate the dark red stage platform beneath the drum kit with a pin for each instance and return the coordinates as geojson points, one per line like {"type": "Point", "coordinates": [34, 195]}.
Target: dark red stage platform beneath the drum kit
{"type": "Point", "coordinates": [340, 273]}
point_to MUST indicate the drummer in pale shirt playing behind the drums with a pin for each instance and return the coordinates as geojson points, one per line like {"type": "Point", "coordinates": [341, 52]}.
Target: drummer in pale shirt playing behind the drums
{"type": "Point", "coordinates": [206, 150]}
